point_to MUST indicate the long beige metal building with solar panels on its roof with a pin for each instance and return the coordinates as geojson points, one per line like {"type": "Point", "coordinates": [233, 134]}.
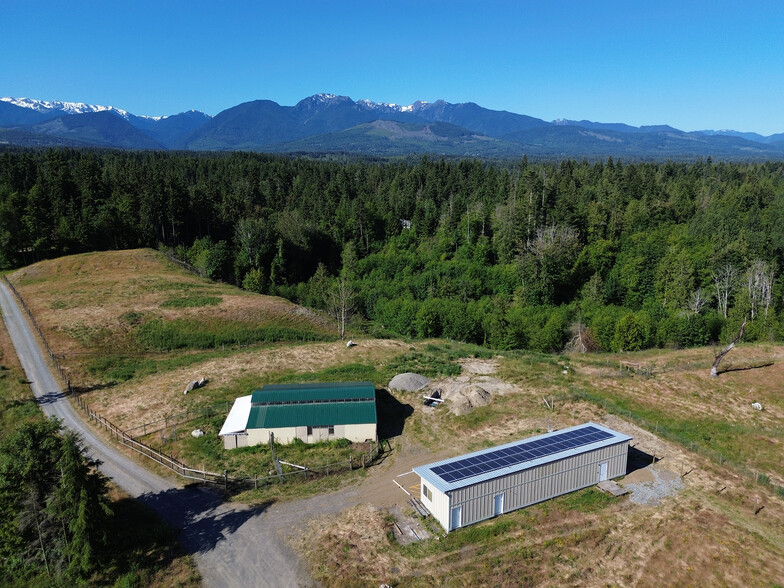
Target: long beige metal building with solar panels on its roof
{"type": "Point", "coordinates": [470, 488]}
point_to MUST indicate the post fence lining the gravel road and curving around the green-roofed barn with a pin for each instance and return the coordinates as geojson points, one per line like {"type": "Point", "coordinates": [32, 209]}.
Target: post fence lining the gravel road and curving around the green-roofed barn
{"type": "Point", "coordinates": [173, 464]}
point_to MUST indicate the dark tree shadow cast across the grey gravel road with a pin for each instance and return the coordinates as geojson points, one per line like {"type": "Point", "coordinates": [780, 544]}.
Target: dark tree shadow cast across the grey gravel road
{"type": "Point", "coordinates": [200, 514]}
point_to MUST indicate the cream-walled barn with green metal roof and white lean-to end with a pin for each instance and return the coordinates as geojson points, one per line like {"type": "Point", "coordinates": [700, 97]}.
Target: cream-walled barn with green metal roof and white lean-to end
{"type": "Point", "coordinates": [309, 412]}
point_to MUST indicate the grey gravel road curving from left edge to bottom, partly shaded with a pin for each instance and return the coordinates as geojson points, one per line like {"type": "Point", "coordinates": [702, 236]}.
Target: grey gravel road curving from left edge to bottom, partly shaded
{"type": "Point", "coordinates": [232, 545]}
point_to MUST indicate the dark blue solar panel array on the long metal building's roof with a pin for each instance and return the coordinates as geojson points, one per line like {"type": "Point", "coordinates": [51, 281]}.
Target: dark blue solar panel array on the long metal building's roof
{"type": "Point", "coordinates": [520, 453]}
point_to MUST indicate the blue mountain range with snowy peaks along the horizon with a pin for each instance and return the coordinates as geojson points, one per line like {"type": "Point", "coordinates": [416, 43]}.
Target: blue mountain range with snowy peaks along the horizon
{"type": "Point", "coordinates": [327, 123]}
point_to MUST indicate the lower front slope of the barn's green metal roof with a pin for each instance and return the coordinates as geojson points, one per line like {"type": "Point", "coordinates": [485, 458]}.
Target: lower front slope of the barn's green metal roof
{"type": "Point", "coordinates": [314, 415]}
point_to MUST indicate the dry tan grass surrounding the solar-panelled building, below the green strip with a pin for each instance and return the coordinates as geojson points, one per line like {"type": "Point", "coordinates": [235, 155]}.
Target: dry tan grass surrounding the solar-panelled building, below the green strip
{"type": "Point", "coordinates": [698, 537]}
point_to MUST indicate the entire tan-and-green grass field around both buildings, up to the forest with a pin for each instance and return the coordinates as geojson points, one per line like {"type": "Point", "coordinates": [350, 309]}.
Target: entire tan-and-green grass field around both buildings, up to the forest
{"type": "Point", "coordinates": [726, 527]}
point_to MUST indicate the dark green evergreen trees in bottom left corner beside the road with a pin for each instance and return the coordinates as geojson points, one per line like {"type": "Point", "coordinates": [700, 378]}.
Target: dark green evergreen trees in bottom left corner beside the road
{"type": "Point", "coordinates": [55, 509]}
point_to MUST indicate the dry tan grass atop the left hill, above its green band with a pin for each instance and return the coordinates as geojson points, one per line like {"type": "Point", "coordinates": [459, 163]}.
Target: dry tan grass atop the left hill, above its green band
{"type": "Point", "coordinates": [83, 302]}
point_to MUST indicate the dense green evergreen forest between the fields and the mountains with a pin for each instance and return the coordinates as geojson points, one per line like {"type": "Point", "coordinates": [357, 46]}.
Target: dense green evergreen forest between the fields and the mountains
{"type": "Point", "coordinates": [542, 256]}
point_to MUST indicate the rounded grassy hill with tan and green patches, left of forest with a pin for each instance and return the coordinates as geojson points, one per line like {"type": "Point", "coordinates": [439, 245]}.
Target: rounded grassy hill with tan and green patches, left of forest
{"type": "Point", "coordinates": [113, 315]}
